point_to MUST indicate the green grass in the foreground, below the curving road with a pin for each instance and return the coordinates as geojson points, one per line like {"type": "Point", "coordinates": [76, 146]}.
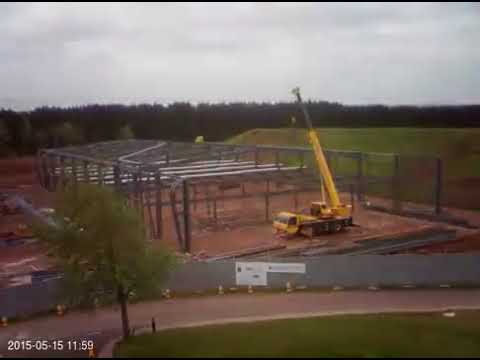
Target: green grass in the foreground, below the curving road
{"type": "Point", "coordinates": [423, 335]}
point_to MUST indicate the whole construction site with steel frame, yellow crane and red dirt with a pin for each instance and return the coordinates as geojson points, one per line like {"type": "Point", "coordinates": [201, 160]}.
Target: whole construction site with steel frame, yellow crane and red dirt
{"type": "Point", "coordinates": [215, 201]}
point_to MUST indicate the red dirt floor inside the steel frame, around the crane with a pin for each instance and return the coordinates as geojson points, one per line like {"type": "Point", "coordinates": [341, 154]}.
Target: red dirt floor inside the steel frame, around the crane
{"type": "Point", "coordinates": [241, 225]}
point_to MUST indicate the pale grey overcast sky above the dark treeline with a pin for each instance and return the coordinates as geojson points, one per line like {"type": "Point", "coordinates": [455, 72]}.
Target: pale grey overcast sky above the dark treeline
{"type": "Point", "coordinates": [66, 54]}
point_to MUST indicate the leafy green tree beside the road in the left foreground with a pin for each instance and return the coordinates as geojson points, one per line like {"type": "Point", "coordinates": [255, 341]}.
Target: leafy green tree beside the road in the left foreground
{"type": "Point", "coordinates": [99, 243]}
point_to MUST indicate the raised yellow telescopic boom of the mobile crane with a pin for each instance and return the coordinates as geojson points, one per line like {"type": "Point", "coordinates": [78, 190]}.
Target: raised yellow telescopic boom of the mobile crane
{"type": "Point", "coordinates": [319, 155]}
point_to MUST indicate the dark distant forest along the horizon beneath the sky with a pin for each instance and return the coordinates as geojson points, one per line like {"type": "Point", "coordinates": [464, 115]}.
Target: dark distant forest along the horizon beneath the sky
{"type": "Point", "coordinates": [25, 132]}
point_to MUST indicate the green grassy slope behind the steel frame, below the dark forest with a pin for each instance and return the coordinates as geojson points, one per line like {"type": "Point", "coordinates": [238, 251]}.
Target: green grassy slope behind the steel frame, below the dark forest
{"type": "Point", "coordinates": [459, 149]}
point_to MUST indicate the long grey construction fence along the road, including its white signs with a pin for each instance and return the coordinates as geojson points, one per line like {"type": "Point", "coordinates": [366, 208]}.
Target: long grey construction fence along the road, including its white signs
{"type": "Point", "coordinates": [462, 270]}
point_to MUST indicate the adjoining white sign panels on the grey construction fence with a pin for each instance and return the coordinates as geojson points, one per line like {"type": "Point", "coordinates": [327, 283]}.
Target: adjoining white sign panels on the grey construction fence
{"type": "Point", "coordinates": [255, 273]}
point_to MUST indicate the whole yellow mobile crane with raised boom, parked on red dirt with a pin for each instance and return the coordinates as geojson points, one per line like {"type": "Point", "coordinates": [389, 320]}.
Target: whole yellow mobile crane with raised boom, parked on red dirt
{"type": "Point", "coordinates": [323, 217]}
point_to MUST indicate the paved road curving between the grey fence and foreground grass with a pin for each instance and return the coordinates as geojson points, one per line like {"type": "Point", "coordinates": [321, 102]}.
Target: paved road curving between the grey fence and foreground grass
{"type": "Point", "coordinates": [104, 324]}
